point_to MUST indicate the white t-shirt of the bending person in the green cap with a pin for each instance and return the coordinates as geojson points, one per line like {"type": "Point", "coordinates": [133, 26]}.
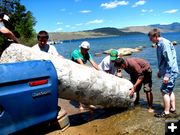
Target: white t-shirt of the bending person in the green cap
{"type": "Point", "coordinates": [107, 65]}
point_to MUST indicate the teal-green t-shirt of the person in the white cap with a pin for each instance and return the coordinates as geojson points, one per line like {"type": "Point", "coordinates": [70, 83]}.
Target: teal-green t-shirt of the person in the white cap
{"type": "Point", "coordinates": [76, 54]}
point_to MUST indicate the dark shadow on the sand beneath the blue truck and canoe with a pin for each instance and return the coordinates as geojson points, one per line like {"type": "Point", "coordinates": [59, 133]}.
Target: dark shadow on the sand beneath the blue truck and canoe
{"type": "Point", "coordinates": [75, 120]}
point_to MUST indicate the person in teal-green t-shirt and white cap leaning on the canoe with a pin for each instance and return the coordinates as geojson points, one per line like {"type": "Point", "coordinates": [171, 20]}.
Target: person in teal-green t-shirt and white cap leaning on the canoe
{"type": "Point", "coordinates": [81, 56]}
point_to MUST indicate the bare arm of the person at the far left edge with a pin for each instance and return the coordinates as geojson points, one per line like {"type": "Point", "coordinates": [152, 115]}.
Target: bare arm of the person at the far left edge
{"type": "Point", "coordinates": [8, 34]}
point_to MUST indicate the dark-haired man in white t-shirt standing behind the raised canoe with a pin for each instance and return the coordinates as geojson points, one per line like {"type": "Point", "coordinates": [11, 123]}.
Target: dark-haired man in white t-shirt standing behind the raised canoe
{"type": "Point", "coordinates": [42, 45]}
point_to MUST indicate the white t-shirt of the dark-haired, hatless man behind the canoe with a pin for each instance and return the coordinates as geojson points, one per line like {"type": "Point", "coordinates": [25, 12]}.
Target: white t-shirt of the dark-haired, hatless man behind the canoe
{"type": "Point", "coordinates": [48, 48]}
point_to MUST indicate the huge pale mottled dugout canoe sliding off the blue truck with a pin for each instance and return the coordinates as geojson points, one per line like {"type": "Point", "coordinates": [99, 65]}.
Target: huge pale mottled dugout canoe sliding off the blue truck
{"type": "Point", "coordinates": [77, 82]}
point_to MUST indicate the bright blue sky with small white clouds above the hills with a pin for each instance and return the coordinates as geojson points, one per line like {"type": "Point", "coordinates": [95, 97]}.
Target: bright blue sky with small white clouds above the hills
{"type": "Point", "coordinates": [78, 15]}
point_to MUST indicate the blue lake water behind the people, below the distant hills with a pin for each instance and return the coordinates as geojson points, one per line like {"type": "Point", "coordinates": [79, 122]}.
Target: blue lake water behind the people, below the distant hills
{"type": "Point", "coordinates": [98, 45]}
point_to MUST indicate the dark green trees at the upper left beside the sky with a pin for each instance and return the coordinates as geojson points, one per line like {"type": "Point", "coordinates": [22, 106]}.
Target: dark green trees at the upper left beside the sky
{"type": "Point", "coordinates": [21, 22]}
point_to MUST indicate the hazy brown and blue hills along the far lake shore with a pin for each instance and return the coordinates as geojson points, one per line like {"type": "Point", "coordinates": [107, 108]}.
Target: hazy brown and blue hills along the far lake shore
{"type": "Point", "coordinates": [110, 31]}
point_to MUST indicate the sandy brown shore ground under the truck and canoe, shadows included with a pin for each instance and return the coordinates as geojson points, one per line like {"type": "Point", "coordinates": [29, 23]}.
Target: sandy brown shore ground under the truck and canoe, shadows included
{"type": "Point", "coordinates": [111, 121]}
